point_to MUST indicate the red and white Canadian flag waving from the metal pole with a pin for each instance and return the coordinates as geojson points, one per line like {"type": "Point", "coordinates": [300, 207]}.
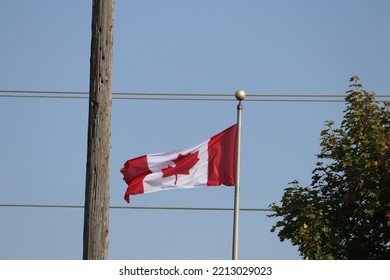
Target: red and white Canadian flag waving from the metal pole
{"type": "Point", "coordinates": [211, 163]}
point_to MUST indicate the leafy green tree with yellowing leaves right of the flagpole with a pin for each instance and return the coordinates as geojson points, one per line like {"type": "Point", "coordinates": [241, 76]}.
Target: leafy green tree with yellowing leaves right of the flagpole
{"type": "Point", "coordinates": [345, 212]}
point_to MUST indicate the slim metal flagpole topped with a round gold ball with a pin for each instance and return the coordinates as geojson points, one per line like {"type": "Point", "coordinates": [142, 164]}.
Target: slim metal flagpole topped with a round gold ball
{"type": "Point", "coordinates": [240, 95]}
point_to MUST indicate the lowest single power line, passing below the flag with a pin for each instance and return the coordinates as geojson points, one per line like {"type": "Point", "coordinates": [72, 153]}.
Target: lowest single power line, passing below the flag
{"type": "Point", "coordinates": [137, 207]}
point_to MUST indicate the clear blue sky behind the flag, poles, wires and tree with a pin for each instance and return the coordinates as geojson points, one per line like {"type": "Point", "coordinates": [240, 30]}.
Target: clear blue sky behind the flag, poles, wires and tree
{"type": "Point", "coordinates": [264, 47]}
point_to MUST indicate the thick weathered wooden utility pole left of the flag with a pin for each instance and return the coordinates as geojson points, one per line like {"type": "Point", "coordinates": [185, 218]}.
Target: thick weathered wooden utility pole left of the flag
{"type": "Point", "coordinates": [97, 188]}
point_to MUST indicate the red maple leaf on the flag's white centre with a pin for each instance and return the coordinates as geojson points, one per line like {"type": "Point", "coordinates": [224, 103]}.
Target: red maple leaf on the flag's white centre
{"type": "Point", "coordinates": [183, 164]}
